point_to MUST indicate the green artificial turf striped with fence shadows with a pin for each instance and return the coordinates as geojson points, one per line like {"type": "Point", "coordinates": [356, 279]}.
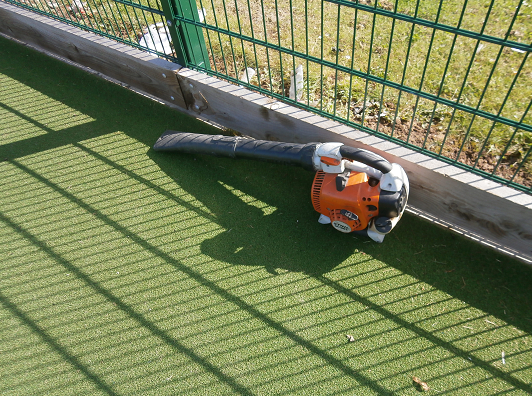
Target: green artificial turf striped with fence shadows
{"type": "Point", "coordinates": [125, 271]}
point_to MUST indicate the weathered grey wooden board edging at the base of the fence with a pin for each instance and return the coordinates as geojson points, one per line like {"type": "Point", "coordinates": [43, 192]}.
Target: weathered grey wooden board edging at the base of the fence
{"type": "Point", "coordinates": [489, 212]}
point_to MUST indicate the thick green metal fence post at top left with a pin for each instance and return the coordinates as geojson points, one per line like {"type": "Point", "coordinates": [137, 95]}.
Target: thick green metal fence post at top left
{"type": "Point", "coordinates": [187, 38]}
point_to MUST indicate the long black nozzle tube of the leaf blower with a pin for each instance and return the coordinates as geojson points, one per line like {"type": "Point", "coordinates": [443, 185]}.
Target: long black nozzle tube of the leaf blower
{"type": "Point", "coordinates": [238, 147]}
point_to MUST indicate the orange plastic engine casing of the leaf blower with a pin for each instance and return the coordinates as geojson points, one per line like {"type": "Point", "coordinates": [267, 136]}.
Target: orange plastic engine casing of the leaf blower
{"type": "Point", "coordinates": [357, 197]}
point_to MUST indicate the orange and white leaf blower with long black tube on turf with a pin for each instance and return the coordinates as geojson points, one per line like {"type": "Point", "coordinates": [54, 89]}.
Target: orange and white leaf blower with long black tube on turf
{"type": "Point", "coordinates": [354, 190]}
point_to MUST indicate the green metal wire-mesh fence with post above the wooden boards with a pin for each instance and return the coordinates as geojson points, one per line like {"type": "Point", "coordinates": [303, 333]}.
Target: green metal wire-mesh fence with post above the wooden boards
{"type": "Point", "coordinates": [451, 78]}
